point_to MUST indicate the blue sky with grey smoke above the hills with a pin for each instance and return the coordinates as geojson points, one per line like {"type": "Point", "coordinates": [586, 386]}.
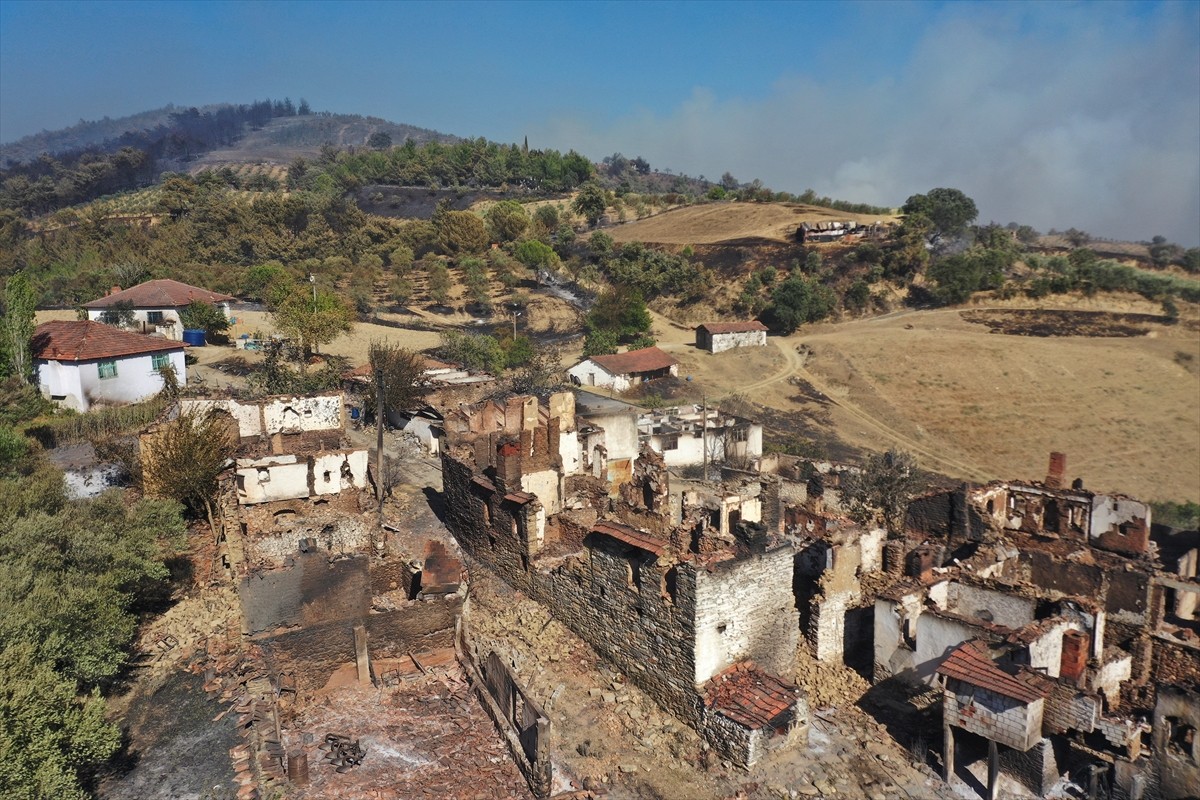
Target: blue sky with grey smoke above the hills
{"type": "Point", "coordinates": [1055, 115]}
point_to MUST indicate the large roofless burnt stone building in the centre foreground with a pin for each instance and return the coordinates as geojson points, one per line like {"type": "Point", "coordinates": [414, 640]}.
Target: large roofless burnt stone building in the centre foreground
{"type": "Point", "coordinates": [695, 607]}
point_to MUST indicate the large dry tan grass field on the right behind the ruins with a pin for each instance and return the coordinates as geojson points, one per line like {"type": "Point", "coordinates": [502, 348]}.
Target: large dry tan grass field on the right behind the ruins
{"type": "Point", "coordinates": [981, 406]}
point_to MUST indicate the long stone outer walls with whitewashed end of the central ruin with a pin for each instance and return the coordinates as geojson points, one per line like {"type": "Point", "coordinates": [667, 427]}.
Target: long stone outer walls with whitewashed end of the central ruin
{"type": "Point", "coordinates": [639, 612]}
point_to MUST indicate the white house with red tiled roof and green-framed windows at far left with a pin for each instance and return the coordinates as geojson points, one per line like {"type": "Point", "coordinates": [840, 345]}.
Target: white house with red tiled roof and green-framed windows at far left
{"type": "Point", "coordinates": [81, 363]}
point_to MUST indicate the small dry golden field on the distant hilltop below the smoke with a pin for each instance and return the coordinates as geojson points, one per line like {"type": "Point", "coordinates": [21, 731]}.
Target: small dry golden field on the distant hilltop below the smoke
{"type": "Point", "coordinates": [719, 222]}
